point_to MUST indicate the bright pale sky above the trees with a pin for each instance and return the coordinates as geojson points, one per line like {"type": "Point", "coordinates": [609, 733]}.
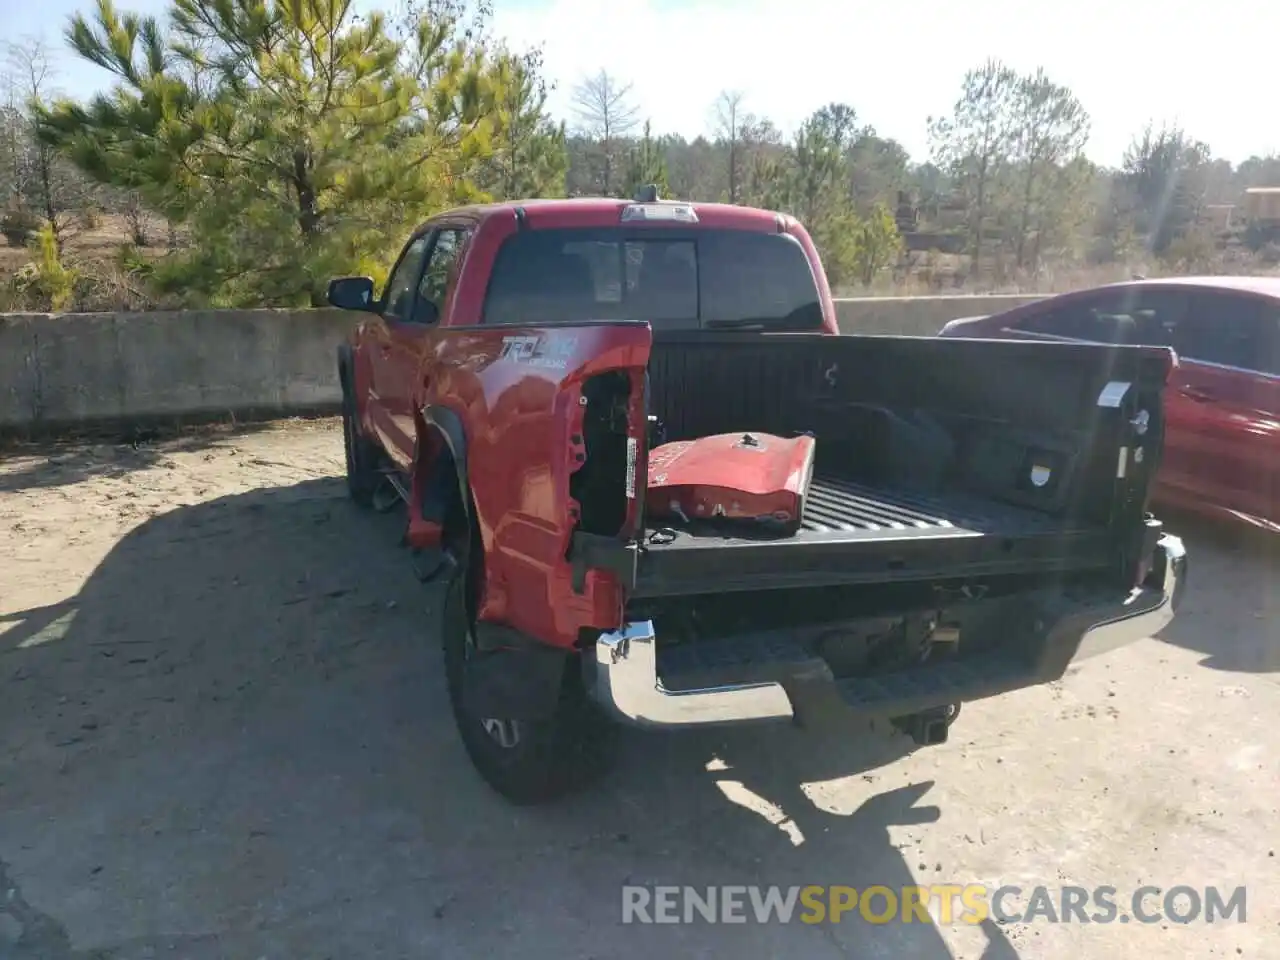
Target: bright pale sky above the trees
{"type": "Point", "coordinates": [1208, 66]}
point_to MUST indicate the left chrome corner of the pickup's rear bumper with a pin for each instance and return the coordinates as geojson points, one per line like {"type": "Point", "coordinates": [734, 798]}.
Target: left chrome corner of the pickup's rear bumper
{"type": "Point", "coordinates": [627, 680]}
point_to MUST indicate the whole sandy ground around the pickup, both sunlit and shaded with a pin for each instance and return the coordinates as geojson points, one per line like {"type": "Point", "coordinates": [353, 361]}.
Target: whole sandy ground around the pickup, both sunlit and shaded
{"type": "Point", "coordinates": [225, 734]}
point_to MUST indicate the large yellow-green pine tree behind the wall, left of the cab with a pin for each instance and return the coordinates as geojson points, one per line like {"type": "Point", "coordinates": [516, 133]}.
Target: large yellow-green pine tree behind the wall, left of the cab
{"type": "Point", "coordinates": [295, 139]}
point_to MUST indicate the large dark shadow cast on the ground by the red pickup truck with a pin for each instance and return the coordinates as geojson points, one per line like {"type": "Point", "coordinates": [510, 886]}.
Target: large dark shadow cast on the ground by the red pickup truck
{"type": "Point", "coordinates": [235, 743]}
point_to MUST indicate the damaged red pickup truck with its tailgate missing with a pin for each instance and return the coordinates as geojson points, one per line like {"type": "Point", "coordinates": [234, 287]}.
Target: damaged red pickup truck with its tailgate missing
{"type": "Point", "coordinates": [976, 519]}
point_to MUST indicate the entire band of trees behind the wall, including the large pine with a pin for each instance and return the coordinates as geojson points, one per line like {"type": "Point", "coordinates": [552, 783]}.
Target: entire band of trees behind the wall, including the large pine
{"type": "Point", "coordinates": [281, 143]}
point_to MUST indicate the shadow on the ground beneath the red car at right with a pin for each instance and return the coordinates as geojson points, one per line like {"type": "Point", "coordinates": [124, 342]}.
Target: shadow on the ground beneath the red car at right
{"type": "Point", "coordinates": [1237, 628]}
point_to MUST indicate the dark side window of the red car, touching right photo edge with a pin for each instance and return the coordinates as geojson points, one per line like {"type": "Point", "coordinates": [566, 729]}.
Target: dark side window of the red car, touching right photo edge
{"type": "Point", "coordinates": [1232, 331]}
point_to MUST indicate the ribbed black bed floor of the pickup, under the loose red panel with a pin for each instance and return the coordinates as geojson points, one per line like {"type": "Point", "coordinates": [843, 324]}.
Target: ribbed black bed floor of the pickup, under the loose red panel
{"type": "Point", "coordinates": [852, 533]}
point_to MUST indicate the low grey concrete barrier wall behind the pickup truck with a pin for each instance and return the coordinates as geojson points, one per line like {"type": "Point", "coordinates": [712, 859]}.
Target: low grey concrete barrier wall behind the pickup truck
{"type": "Point", "coordinates": [63, 369]}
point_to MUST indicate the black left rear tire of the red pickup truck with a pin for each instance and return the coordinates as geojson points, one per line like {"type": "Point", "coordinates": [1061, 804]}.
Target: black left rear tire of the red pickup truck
{"type": "Point", "coordinates": [546, 760]}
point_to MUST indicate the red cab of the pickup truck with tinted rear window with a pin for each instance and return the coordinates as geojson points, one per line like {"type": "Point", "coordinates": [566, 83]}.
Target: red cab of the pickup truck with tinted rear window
{"type": "Point", "coordinates": [569, 262]}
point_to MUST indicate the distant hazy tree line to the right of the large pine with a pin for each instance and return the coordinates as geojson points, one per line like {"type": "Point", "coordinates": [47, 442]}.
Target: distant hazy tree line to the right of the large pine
{"type": "Point", "coordinates": [1007, 182]}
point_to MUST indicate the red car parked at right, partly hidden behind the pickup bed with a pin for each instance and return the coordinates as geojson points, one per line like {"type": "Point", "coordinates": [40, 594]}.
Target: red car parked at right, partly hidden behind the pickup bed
{"type": "Point", "coordinates": [1223, 405]}
